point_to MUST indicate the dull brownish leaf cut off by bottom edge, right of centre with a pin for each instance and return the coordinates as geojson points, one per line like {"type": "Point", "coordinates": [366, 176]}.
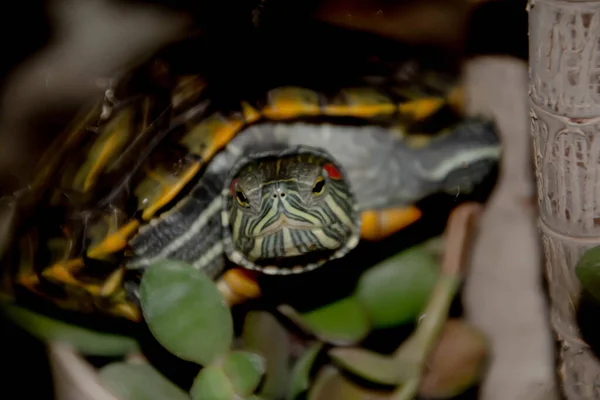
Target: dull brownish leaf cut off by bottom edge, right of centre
{"type": "Point", "coordinates": [331, 385]}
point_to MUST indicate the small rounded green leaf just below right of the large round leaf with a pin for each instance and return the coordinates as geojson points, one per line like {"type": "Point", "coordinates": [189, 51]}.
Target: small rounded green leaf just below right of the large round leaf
{"type": "Point", "coordinates": [244, 370]}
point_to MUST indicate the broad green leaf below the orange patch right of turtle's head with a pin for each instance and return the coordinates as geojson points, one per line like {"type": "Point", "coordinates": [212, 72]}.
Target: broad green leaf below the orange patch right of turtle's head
{"type": "Point", "coordinates": [396, 290]}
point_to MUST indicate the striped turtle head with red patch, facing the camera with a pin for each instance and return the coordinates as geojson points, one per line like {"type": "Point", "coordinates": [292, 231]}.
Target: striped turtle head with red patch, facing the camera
{"type": "Point", "coordinates": [290, 212]}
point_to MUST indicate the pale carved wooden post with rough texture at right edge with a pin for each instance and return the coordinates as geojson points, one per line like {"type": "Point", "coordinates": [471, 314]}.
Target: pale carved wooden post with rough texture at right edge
{"type": "Point", "coordinates": [564, 90]}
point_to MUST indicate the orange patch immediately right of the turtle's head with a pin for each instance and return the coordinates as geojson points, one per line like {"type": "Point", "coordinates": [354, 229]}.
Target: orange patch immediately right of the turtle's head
{"type": "Point", "coordinates": [379, 224]}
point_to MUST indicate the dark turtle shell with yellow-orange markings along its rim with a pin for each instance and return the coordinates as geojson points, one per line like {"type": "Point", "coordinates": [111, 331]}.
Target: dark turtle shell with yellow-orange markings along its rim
{"type": "Point", "coordinates": [105, 187]}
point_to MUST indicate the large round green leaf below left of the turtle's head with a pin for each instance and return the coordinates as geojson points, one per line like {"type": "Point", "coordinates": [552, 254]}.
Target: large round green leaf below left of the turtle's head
{"type": "Point", "coordinates": [186, 312]}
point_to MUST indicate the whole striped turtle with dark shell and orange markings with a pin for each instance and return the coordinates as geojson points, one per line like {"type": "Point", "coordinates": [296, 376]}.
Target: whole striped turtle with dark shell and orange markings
{"type": "Point", "coordinates": [280, 184]}
